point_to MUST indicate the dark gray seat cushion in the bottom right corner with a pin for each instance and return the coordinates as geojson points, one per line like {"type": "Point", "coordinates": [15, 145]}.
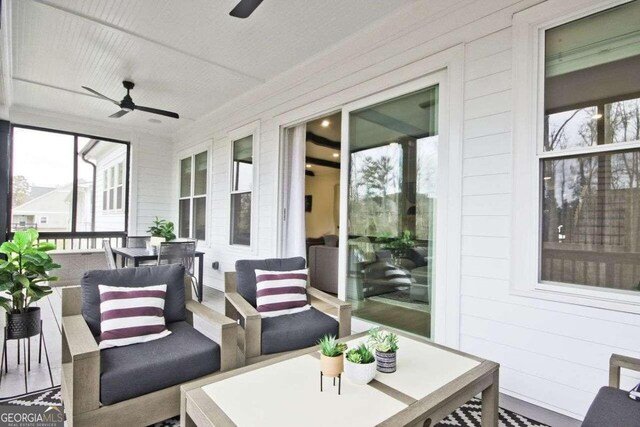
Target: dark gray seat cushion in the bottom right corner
{"type": "Point", "coordinates": [612, 407]}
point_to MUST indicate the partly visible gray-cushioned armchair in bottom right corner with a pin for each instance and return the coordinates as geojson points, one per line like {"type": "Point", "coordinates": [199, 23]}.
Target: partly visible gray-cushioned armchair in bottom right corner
{"type": "Point", "coordinates": [612, 406]}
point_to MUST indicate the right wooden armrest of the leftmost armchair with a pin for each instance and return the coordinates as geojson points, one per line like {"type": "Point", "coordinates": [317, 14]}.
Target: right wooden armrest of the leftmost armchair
{"type": "Point", "coordinates": [227, 330]}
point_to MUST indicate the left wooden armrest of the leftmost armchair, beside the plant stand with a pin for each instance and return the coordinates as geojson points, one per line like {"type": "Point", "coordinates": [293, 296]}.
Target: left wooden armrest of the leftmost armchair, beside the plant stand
{"type": "Point", "coordinates": [81, 365]}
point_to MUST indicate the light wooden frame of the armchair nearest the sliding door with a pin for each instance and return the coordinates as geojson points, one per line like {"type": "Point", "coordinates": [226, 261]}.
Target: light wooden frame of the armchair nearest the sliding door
{"type": "Point", "coordinates": [250, 334]}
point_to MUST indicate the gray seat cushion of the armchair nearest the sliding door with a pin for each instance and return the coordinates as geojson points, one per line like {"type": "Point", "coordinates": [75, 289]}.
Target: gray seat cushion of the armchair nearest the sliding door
{"type": "Point", "coordinates": [296, 331]}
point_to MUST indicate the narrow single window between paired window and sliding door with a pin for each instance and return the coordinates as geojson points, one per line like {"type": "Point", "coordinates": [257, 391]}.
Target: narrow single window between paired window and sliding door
{"type": "Point", "coordinates": [241, 191]}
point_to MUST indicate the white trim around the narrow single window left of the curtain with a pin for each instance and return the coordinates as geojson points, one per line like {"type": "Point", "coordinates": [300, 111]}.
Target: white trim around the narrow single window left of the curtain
{"type": "Point", "coordinates": [251, 129]}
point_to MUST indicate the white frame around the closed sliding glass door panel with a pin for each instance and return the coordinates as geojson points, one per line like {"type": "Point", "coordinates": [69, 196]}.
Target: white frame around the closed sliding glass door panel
{"type": "Point", "coordinates": [448, 210]}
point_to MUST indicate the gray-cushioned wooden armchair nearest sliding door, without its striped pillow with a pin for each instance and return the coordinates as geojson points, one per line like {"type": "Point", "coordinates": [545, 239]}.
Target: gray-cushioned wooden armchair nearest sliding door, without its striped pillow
{"type": "Point", "coordinates": [261, 338]}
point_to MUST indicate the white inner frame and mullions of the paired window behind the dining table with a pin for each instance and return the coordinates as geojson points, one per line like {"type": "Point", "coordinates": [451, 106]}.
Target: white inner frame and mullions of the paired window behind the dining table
{"type": "Point", "coordinates": [191, 154]}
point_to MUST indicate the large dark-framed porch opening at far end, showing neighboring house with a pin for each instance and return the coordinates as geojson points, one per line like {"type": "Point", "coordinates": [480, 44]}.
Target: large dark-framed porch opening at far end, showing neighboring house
{"type": "Point", "coordinates": [66, 183]}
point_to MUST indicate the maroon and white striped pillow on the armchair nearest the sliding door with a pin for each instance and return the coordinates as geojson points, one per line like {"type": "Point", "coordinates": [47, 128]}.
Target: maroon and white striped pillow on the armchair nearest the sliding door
{"type": "Point", "coordinates": [281, 292]}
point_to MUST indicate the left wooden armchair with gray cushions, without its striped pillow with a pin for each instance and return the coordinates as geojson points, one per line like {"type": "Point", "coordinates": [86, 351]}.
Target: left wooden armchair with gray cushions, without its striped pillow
{"type": "Point", "coordinates": [137, 384]}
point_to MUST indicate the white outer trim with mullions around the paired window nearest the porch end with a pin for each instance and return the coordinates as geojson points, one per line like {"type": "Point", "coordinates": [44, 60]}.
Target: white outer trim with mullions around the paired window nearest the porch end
{"type": "Point", "coordinates": [191, 152]}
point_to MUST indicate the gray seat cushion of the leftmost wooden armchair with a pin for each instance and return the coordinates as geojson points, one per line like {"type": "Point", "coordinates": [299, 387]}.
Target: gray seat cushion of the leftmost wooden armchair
{"type": "Point", "coordinates": [134, 370]}
